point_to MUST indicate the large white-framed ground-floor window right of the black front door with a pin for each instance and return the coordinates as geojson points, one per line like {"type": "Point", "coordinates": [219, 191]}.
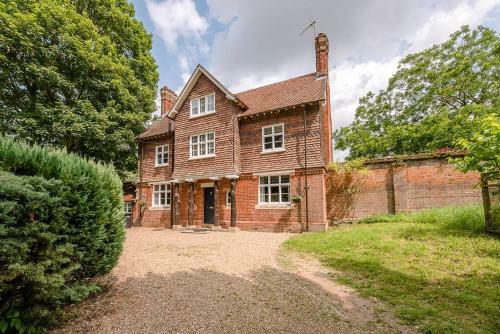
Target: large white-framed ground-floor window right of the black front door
{"type": "Point", "coordinates": [274, 189]}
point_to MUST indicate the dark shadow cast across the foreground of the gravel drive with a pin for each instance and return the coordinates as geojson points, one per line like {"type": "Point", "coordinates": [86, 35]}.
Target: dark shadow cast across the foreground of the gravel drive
{"type": "Point", "coordinates": [205, 301]}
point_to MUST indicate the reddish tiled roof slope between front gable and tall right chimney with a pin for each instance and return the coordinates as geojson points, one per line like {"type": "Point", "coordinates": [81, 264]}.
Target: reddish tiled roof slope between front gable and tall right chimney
{"type": "Point", "coordinates": [291, 92]}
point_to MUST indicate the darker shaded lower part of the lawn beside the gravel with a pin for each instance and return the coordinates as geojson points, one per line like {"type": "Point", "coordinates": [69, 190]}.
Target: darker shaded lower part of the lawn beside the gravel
{"type": "Point", "coordinates": [468, 305]}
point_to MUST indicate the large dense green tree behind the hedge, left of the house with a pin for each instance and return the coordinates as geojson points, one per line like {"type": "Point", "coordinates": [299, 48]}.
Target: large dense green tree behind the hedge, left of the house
{"type": "Point", "coordinates": [77, 74]}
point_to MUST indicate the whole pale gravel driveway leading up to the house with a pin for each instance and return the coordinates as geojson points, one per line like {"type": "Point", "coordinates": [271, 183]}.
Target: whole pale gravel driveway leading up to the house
{"type": "Point", "coordinates": [215, 282]}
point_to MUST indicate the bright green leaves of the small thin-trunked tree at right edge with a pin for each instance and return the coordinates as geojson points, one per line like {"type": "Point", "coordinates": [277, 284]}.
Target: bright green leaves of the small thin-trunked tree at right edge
{"type": "Point", "coordinates": [483, 149]}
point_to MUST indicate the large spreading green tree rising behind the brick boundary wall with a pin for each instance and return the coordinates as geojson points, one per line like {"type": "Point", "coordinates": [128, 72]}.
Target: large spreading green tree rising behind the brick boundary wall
{"type": "Point", "coordinates": [436, 97]}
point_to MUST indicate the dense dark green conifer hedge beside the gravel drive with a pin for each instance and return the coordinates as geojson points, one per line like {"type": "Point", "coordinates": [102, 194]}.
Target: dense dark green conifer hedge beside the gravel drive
{"type": "Point", "coordinates": [61, 223]}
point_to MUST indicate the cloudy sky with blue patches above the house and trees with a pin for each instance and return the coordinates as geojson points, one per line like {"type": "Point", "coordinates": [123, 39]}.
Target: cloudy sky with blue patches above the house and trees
{"type": "Point", "coordinates": [246, 44]}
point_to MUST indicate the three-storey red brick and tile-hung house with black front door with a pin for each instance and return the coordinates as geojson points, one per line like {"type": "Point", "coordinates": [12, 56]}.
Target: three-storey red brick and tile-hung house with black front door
{"type": "Point", "coordinates": [253, 160]}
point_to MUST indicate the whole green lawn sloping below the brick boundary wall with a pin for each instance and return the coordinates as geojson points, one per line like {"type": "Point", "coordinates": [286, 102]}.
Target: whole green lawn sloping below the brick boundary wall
{"type": "Point", "coordinates": [436, 269]}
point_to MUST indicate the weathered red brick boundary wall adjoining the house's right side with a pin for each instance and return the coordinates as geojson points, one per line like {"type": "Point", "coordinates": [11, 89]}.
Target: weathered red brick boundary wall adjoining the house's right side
{"type": "Point", "coordinates": [394, 185]}
